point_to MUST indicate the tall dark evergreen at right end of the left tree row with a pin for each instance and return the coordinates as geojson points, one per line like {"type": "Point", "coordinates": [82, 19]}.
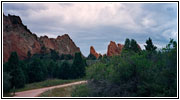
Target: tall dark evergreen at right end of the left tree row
{"type": "Point", "coordinates": [78, 67]}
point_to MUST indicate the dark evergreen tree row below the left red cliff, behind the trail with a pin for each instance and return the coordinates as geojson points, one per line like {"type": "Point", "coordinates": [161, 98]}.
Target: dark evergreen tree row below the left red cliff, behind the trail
{"type": "Point", "coordinates": [39, 67]}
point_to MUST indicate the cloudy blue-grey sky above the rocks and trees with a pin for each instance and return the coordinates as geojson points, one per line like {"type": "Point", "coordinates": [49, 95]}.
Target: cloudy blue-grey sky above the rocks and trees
{"type": "Point", "coordinates": [96, 24]}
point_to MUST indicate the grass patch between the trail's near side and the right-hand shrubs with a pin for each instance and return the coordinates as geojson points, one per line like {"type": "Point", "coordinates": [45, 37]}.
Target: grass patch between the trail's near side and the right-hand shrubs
{"type": "Point", "coordinates": [58, 92]}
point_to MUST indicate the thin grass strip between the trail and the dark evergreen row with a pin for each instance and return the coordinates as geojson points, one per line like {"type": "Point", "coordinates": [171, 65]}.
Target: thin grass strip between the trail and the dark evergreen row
{"type": "Point", "coordinates": [46, 83]}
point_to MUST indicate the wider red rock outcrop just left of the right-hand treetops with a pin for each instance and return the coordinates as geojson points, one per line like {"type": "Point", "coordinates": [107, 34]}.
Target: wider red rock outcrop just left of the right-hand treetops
{"type": "Point", "coordinates": [114, 49]}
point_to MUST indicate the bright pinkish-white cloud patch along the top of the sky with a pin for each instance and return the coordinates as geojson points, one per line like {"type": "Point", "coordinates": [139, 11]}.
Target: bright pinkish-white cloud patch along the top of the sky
{"type": "Point", "coordinates": [86, 15]}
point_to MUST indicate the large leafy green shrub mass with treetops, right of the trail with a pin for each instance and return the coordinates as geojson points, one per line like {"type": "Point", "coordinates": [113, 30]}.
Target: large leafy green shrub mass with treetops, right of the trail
{"type": "Point", "coordinates": [135, 73]}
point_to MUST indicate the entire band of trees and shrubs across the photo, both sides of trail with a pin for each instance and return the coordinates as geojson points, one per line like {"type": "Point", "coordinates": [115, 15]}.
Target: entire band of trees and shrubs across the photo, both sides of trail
{"type": "Point", "coordinates": [134, 73]}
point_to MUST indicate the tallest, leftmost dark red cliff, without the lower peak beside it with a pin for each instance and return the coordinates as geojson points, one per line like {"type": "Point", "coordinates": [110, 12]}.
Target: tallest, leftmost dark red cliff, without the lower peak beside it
{"type": "Point", "coordinates": [16, 37]}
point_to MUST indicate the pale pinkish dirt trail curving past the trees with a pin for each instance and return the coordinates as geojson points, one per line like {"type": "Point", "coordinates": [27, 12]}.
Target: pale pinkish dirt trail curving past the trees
{"type": "Point", "coordinates": [37, 92]}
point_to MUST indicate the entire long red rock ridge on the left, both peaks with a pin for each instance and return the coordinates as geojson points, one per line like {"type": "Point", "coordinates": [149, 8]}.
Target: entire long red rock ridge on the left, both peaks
{"type": "Point", "coordinates": [17, 37]}
